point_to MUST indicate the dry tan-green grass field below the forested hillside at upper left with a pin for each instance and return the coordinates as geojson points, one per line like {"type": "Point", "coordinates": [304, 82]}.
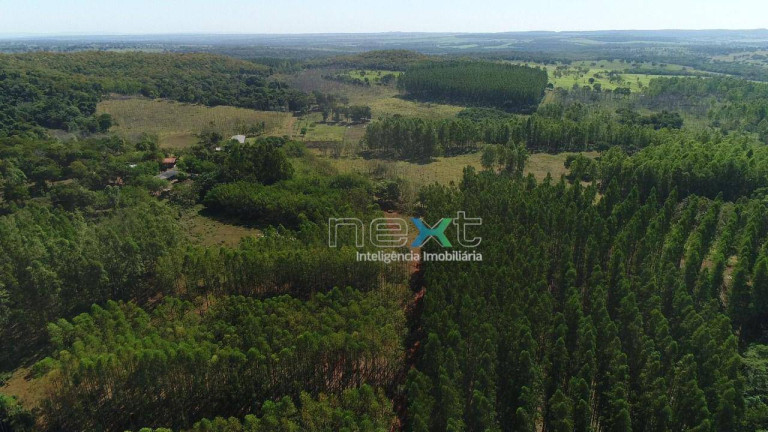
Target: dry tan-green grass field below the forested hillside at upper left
{"type": "Point", "coordinates": [176, 123]}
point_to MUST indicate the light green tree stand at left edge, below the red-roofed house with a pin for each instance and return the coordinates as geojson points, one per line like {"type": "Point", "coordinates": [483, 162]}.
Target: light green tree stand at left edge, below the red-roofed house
{"type": "Point", "coordinates": [64, 263]}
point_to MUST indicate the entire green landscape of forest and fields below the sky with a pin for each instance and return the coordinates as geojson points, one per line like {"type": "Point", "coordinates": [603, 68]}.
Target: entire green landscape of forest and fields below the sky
{"type": "Point", "coordinates": [157, 275]}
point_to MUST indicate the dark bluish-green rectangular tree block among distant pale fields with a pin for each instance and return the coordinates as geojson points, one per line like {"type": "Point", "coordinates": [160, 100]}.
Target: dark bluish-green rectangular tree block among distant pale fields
{"type": "Point", "coordinates": [503, 86]}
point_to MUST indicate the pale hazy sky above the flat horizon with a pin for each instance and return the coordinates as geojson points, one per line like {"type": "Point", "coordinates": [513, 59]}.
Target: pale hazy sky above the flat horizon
{"type": "Point", "coordinates": [355, 16]}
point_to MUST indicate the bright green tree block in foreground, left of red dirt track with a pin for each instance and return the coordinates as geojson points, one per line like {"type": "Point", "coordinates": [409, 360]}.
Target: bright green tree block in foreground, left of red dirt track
{"type": "Point", "coordinates": [238, 354]}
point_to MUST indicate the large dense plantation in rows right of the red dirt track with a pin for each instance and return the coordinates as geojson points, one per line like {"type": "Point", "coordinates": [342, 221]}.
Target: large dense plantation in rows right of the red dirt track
{"type": "Point", "coordinates": [617, 315]}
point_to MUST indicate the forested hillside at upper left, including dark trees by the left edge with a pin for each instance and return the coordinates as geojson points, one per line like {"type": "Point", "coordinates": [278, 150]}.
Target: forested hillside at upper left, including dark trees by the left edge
{"type": "Point", "coordinates": [60, 91]}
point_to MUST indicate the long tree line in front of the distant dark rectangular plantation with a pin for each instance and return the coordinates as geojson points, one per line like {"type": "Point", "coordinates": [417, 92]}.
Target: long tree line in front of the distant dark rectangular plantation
{"type": "Point", "coordinates": [554, 129]}
